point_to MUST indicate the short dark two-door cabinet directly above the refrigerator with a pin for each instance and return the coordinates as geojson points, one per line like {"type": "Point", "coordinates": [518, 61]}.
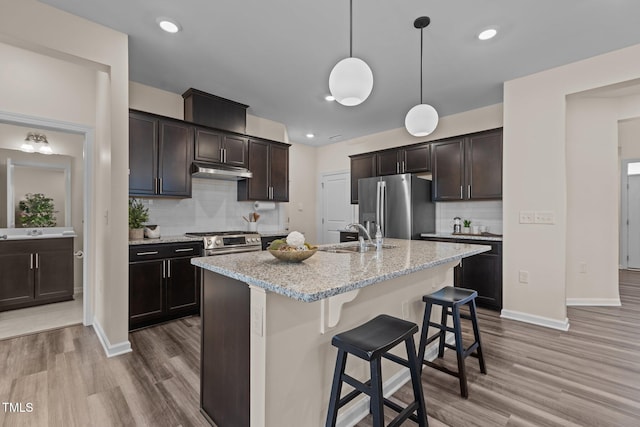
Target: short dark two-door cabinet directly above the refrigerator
{"type": "Point", "coordinates": [410, 159]}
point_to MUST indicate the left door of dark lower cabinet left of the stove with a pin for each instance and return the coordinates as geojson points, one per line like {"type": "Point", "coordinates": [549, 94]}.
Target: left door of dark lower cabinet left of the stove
{"type": "Point", "coordinates": [146, 292]}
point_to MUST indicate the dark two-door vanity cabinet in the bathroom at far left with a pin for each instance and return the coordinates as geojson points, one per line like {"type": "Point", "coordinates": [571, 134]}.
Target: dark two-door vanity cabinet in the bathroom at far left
{"type": "Point", "coordinates": [35, 272]}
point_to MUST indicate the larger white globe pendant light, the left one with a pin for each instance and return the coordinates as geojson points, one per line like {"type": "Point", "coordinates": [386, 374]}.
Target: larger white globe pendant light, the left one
{"type": "Point", "coordinates": [351, 79]}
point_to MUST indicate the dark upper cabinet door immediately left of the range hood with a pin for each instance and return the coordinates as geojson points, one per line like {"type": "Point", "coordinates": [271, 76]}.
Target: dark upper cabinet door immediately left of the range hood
{"type": "Point", "coordinates": [176, 155]}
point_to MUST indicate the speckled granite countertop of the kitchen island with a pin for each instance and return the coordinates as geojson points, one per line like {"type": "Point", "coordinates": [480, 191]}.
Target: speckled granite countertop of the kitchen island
{"type": "Point", "coordinates": [326, 274]}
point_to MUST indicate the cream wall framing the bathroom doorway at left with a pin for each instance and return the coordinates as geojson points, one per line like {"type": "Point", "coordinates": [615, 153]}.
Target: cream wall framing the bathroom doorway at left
{"type": "Point", "coordinates": [41, 92]}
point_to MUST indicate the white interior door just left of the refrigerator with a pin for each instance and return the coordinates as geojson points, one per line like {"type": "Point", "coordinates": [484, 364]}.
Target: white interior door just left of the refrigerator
{"type": "Point", "coordinates": [336, 205]}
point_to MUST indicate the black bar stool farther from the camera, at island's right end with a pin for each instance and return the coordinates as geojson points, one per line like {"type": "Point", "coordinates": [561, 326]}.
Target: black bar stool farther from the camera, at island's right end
{"type": "Point", "coordinates": [451, 299]}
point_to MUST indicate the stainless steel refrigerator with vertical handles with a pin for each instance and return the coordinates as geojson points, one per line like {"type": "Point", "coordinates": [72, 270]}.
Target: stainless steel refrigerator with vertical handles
{"type": "Point", "coordinates": [400, 204]}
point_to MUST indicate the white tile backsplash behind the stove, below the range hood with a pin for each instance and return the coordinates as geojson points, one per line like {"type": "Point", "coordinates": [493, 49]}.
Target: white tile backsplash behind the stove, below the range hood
{"type": "Point", "coordinates": [212, 207]}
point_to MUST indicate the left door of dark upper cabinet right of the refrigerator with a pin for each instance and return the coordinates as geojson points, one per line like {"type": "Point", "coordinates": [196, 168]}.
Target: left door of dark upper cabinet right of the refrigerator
{"type": "Point", "coordinates": [448, 170]}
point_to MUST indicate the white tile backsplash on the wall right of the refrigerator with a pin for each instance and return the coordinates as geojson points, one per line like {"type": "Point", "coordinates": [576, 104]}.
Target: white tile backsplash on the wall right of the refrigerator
{"type": "Point", "coordinates": [487, 213]}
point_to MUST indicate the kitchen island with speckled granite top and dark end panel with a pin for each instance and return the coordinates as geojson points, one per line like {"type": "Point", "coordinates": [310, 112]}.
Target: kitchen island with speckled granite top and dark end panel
{"type": "Point", "coordinates": [267, 358]}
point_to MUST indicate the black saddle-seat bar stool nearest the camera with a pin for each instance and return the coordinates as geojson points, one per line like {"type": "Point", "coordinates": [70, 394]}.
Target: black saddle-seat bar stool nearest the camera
{"type": "Point", "coordinates": [371, 341]}
